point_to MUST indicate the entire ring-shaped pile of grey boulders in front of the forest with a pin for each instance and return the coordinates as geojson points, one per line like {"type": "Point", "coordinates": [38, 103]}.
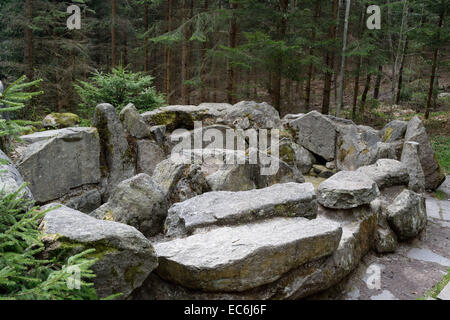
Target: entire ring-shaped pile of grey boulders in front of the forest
{"type": "Point", "coordinates": [207, 221]}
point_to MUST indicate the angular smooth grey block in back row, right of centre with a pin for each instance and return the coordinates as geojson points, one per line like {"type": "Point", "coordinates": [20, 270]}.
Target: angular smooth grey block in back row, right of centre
{"type": "Point", "coordinates": [316, 133]}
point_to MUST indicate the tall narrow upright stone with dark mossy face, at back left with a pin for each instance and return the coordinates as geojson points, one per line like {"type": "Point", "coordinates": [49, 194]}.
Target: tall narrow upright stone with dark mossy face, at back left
{"type": "Point", "coordinates": [117, 156]}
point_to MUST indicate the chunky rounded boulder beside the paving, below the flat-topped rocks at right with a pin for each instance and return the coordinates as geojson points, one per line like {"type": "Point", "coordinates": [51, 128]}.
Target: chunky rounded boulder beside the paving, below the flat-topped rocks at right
{"type": "Point", "coordinates": [407, 215]}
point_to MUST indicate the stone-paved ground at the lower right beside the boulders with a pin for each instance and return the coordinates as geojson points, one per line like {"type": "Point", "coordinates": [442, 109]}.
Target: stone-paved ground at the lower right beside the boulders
{"type": "Point", "coordinates": [419, 269]}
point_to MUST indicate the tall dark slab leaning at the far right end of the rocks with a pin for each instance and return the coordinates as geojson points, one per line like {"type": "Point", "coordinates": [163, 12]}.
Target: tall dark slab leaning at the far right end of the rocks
{"type": "Point", "coordinates": [433, 174]}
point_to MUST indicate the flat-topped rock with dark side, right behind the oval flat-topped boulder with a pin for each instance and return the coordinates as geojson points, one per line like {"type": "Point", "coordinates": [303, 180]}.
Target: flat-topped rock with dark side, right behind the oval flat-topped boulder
{"type": "Point", "coordinates": [387, 173]}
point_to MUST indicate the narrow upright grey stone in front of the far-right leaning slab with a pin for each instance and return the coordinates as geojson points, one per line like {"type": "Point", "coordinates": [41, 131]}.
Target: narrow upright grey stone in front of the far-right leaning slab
{"type": "Point", "coordinates": [410, 158]}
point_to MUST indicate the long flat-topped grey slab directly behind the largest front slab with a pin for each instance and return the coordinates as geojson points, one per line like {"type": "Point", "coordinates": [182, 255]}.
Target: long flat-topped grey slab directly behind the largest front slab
{"type": "Point", "coordinates": [230, 208]}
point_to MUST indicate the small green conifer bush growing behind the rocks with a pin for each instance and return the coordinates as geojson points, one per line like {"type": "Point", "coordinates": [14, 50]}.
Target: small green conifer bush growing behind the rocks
{"type": "Point", "coordinates": [119, 88]}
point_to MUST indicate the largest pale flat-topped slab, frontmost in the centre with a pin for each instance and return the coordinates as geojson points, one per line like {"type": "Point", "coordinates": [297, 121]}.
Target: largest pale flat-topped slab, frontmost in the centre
{"type": "Point", "coordinates": [235, 259]}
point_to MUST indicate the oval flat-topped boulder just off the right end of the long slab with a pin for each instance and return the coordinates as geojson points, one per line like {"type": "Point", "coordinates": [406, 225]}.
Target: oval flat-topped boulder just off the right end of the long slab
{"type": "Point", "coordinates": [347, 189]}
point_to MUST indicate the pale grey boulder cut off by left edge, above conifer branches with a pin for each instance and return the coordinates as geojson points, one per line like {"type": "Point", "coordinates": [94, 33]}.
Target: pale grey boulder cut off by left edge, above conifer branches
{"type": "Point", "coordinates": [10, 178]}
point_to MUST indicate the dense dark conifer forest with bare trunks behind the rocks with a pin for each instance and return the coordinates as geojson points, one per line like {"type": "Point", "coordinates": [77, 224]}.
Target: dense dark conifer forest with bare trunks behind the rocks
{"type": "Point", "coordinates": [296, 54]}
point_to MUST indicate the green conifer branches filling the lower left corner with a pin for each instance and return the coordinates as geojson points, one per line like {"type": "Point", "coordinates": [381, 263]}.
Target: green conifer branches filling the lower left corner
{"type": "Point", "coordinates": [23, 274]}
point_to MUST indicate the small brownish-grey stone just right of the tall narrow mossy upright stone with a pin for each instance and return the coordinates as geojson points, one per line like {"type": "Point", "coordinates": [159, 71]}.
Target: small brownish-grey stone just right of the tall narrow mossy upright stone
{"type": "Point", "coordinates": [149, 154]}
